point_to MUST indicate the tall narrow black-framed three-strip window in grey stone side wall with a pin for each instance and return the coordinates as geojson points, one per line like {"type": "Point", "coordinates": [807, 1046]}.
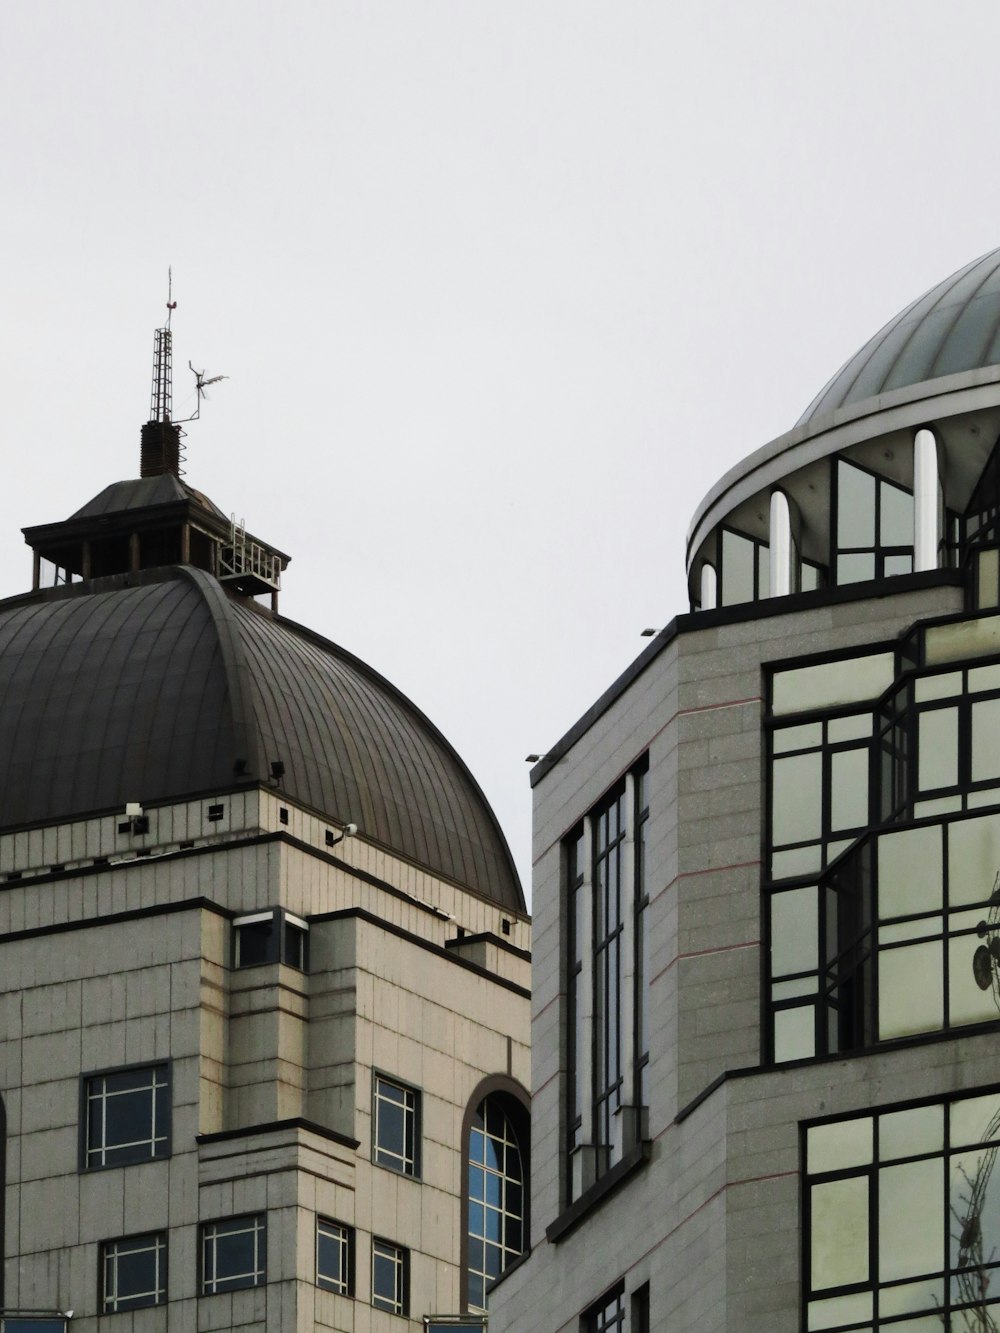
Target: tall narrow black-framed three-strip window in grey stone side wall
{"type": "Point", "coordinates": [607, 974]}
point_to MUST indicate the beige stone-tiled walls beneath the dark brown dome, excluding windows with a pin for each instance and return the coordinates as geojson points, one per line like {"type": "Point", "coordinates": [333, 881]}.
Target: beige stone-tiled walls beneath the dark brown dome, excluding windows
{"type": "Point", "coordinates": [117, 952]}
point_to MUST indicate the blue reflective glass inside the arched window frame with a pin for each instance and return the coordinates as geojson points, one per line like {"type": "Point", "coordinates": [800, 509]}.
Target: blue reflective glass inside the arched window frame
{"type": "Point", "coordinates": [497, 1199]}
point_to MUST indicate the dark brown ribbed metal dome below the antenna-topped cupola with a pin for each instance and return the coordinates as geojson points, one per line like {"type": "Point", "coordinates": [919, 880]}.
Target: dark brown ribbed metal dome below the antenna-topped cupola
{"type": "Point", "coordinates": [161, 686]}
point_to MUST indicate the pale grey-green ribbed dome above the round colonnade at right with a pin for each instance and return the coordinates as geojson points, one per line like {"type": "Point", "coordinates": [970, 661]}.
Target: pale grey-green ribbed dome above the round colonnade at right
{"type": "Point", "coordinates": [954, 327]}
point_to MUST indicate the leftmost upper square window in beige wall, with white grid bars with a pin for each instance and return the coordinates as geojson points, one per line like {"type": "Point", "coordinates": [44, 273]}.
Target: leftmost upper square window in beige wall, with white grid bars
{"type": "Point", "coordinates": [126, 1116]}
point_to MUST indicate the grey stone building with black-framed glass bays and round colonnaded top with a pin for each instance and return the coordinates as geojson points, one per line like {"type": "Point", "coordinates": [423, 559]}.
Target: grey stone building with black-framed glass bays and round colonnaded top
{"type": "Point", "coordinates": [767, 900]}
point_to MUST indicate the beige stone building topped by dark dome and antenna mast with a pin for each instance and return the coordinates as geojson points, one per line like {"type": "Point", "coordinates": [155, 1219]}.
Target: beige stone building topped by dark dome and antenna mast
{"type": "Point", "coordinates": [263, 952]}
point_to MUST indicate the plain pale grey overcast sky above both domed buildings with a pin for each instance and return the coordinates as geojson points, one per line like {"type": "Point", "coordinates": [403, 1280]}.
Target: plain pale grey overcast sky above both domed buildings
{"type": "Point", "coordinates": [501, 291]}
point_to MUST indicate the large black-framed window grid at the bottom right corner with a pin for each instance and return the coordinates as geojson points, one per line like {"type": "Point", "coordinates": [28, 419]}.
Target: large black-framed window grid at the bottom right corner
{"type": "Point", "coordinates": [903, 1218]}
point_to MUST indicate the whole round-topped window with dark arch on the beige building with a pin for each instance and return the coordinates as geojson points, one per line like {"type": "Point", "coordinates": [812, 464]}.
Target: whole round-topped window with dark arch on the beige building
{"type": "Point", "coordinates": [497, 1191]}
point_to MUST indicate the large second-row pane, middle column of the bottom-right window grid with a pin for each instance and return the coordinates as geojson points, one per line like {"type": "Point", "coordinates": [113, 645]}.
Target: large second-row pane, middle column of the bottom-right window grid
{"type": "Point", "coordinates": [911, 1207]}
